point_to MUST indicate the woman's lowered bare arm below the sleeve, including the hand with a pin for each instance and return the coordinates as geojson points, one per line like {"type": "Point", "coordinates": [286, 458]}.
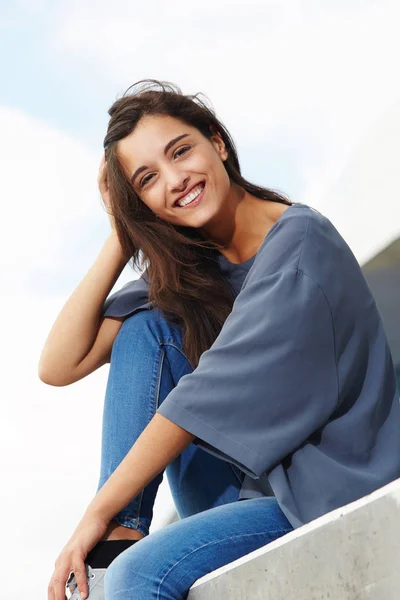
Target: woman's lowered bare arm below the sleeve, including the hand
{"type": "Point", "coordinates": [157, 446]}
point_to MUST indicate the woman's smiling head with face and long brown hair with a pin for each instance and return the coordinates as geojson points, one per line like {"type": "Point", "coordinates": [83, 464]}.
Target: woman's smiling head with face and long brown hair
{"type": "Point", "coordinates": [160, 146]}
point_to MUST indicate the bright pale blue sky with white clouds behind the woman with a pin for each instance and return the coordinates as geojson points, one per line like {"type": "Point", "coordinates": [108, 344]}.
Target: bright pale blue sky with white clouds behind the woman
{"type": "Point", "coordinates": [307, 90]}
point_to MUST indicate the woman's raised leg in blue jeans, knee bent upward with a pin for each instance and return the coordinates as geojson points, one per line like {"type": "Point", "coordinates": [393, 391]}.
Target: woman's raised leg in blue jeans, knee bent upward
{"type": "Point", "coordinates": [147, 361]}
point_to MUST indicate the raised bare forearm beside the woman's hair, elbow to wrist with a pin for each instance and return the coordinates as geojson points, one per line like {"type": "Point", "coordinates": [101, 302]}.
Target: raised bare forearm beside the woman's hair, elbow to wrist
{"type": "Point", "coordinates": [74, 331]}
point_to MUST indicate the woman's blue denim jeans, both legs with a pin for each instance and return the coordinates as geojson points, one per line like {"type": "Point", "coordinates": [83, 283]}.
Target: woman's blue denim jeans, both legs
{"type": "Point", "coordinates": [214, 529]}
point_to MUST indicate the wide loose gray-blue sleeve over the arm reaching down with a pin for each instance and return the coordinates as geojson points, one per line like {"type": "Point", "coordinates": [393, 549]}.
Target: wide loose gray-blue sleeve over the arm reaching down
{"type": "Point", "coordinates": [269, 381]}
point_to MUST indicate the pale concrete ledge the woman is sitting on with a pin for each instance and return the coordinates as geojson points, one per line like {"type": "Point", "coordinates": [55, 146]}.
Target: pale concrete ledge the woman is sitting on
{"type": "Point", "coordinates": [351, 553]}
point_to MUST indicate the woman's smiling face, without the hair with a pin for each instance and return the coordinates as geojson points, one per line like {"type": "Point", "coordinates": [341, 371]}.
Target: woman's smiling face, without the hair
{"type": "Point", "coordinates": [169, 162]}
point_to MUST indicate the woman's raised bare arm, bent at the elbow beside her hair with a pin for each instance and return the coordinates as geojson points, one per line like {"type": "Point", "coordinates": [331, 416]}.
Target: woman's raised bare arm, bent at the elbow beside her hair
{"type": "Point", "coordinates": [79, 340]}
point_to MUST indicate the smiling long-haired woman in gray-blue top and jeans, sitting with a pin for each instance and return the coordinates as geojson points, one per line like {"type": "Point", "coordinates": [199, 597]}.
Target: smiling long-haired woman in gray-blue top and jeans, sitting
{"type": "Point", "coordinates": [292, 409]}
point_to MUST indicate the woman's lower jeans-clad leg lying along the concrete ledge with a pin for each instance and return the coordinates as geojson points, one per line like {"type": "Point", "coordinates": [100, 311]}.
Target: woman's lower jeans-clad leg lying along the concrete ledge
{"type": "Point", "coordinates": [165, 565]}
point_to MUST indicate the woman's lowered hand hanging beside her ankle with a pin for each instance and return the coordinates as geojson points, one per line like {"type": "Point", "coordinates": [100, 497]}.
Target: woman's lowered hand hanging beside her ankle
{"type": "Point", "coordinates": [90, 530]}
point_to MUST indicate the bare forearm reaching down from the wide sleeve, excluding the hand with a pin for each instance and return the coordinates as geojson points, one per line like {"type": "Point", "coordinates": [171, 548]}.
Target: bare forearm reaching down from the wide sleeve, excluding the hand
{"type": "Point", "coordinates": [157, 446]}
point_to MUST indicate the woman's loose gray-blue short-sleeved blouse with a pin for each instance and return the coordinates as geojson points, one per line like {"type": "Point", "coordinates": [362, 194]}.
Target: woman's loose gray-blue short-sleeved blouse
{"type": "Point", "coordinates": [299, 389]}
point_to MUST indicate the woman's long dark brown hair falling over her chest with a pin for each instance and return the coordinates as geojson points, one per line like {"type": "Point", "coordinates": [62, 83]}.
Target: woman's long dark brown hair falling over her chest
{"type": "Point", "coordinates": [185, 278]}
